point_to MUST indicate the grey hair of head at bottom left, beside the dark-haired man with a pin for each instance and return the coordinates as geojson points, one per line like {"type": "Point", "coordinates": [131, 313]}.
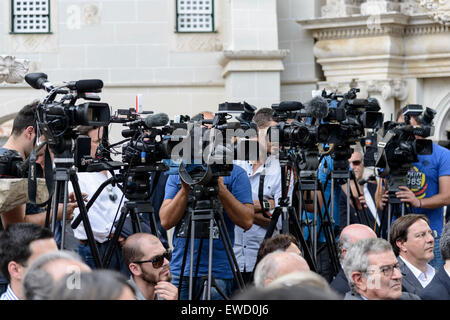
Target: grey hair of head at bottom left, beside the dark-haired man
{"type": "Point", "coordinates": [37, 283]}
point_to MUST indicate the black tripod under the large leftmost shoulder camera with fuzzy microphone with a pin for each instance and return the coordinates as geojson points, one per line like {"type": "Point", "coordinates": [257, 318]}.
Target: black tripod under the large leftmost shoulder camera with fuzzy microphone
{"type": "Point", "coordinates": [63, 173]}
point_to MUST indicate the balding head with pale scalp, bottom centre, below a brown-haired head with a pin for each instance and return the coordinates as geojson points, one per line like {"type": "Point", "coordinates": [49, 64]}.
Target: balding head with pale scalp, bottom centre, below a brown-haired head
{"type": "Point", "coordinates": [277, 264]}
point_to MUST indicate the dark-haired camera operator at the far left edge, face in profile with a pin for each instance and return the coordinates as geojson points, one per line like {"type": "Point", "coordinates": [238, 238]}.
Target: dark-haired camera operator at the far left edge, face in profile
{"type": "Point", "coordinates": [21, 143]}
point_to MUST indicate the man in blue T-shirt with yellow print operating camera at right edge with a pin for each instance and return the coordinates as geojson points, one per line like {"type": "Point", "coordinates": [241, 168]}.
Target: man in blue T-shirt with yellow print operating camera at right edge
{"type": "Point", "coordinates": [429, 188]}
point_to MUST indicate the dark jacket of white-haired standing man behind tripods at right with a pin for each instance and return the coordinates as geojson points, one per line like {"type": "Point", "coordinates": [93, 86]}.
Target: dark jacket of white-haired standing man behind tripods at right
{"type": "Point", "coordinates": [370, 221]}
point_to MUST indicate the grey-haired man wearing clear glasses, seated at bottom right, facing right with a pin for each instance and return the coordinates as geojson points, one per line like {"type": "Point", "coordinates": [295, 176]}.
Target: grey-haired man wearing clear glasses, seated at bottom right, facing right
{"type": "Point", "coordinates": [373, 272]}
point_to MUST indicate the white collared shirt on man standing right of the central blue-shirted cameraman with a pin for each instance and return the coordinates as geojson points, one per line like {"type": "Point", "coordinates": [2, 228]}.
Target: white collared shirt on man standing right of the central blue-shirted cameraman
{"type": "Point", "coordinates": [247, 243]}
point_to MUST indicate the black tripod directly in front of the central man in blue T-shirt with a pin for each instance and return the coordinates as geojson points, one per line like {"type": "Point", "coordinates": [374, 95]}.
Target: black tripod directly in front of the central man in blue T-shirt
{"type": "Point", "coordinates": [205, 221]}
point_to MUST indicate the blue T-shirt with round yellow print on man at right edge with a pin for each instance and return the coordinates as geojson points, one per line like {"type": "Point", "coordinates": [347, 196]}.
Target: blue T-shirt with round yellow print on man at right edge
{"type": "Point", "coordinates": [423, 180]}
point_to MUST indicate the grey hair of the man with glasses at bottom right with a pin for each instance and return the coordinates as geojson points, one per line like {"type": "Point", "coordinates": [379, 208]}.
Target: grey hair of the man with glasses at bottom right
{"type": "Point", "coordinates": [357, 259]}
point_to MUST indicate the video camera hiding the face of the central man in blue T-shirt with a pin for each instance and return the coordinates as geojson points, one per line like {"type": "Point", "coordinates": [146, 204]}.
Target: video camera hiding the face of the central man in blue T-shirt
{"type": "Point", "coordinates": [205, 148]}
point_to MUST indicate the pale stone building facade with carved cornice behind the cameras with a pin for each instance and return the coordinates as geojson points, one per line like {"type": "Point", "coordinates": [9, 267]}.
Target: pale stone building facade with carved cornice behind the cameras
{"type": "Point", "coordinates": [186, 56]}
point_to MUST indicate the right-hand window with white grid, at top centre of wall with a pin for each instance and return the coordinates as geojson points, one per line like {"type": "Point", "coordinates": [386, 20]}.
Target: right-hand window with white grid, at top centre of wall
{"type": "Point", "coordinates": [195, 15]}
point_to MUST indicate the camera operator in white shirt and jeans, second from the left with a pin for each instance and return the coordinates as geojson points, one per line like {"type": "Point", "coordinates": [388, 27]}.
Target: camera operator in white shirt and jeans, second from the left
{"type": "Point", "coordinates": [103, 211]}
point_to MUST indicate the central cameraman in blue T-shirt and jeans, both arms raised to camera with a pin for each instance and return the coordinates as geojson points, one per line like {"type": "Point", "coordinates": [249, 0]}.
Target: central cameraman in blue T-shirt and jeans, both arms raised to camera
{"type": "Point", "coordinates": [235, 196]}
